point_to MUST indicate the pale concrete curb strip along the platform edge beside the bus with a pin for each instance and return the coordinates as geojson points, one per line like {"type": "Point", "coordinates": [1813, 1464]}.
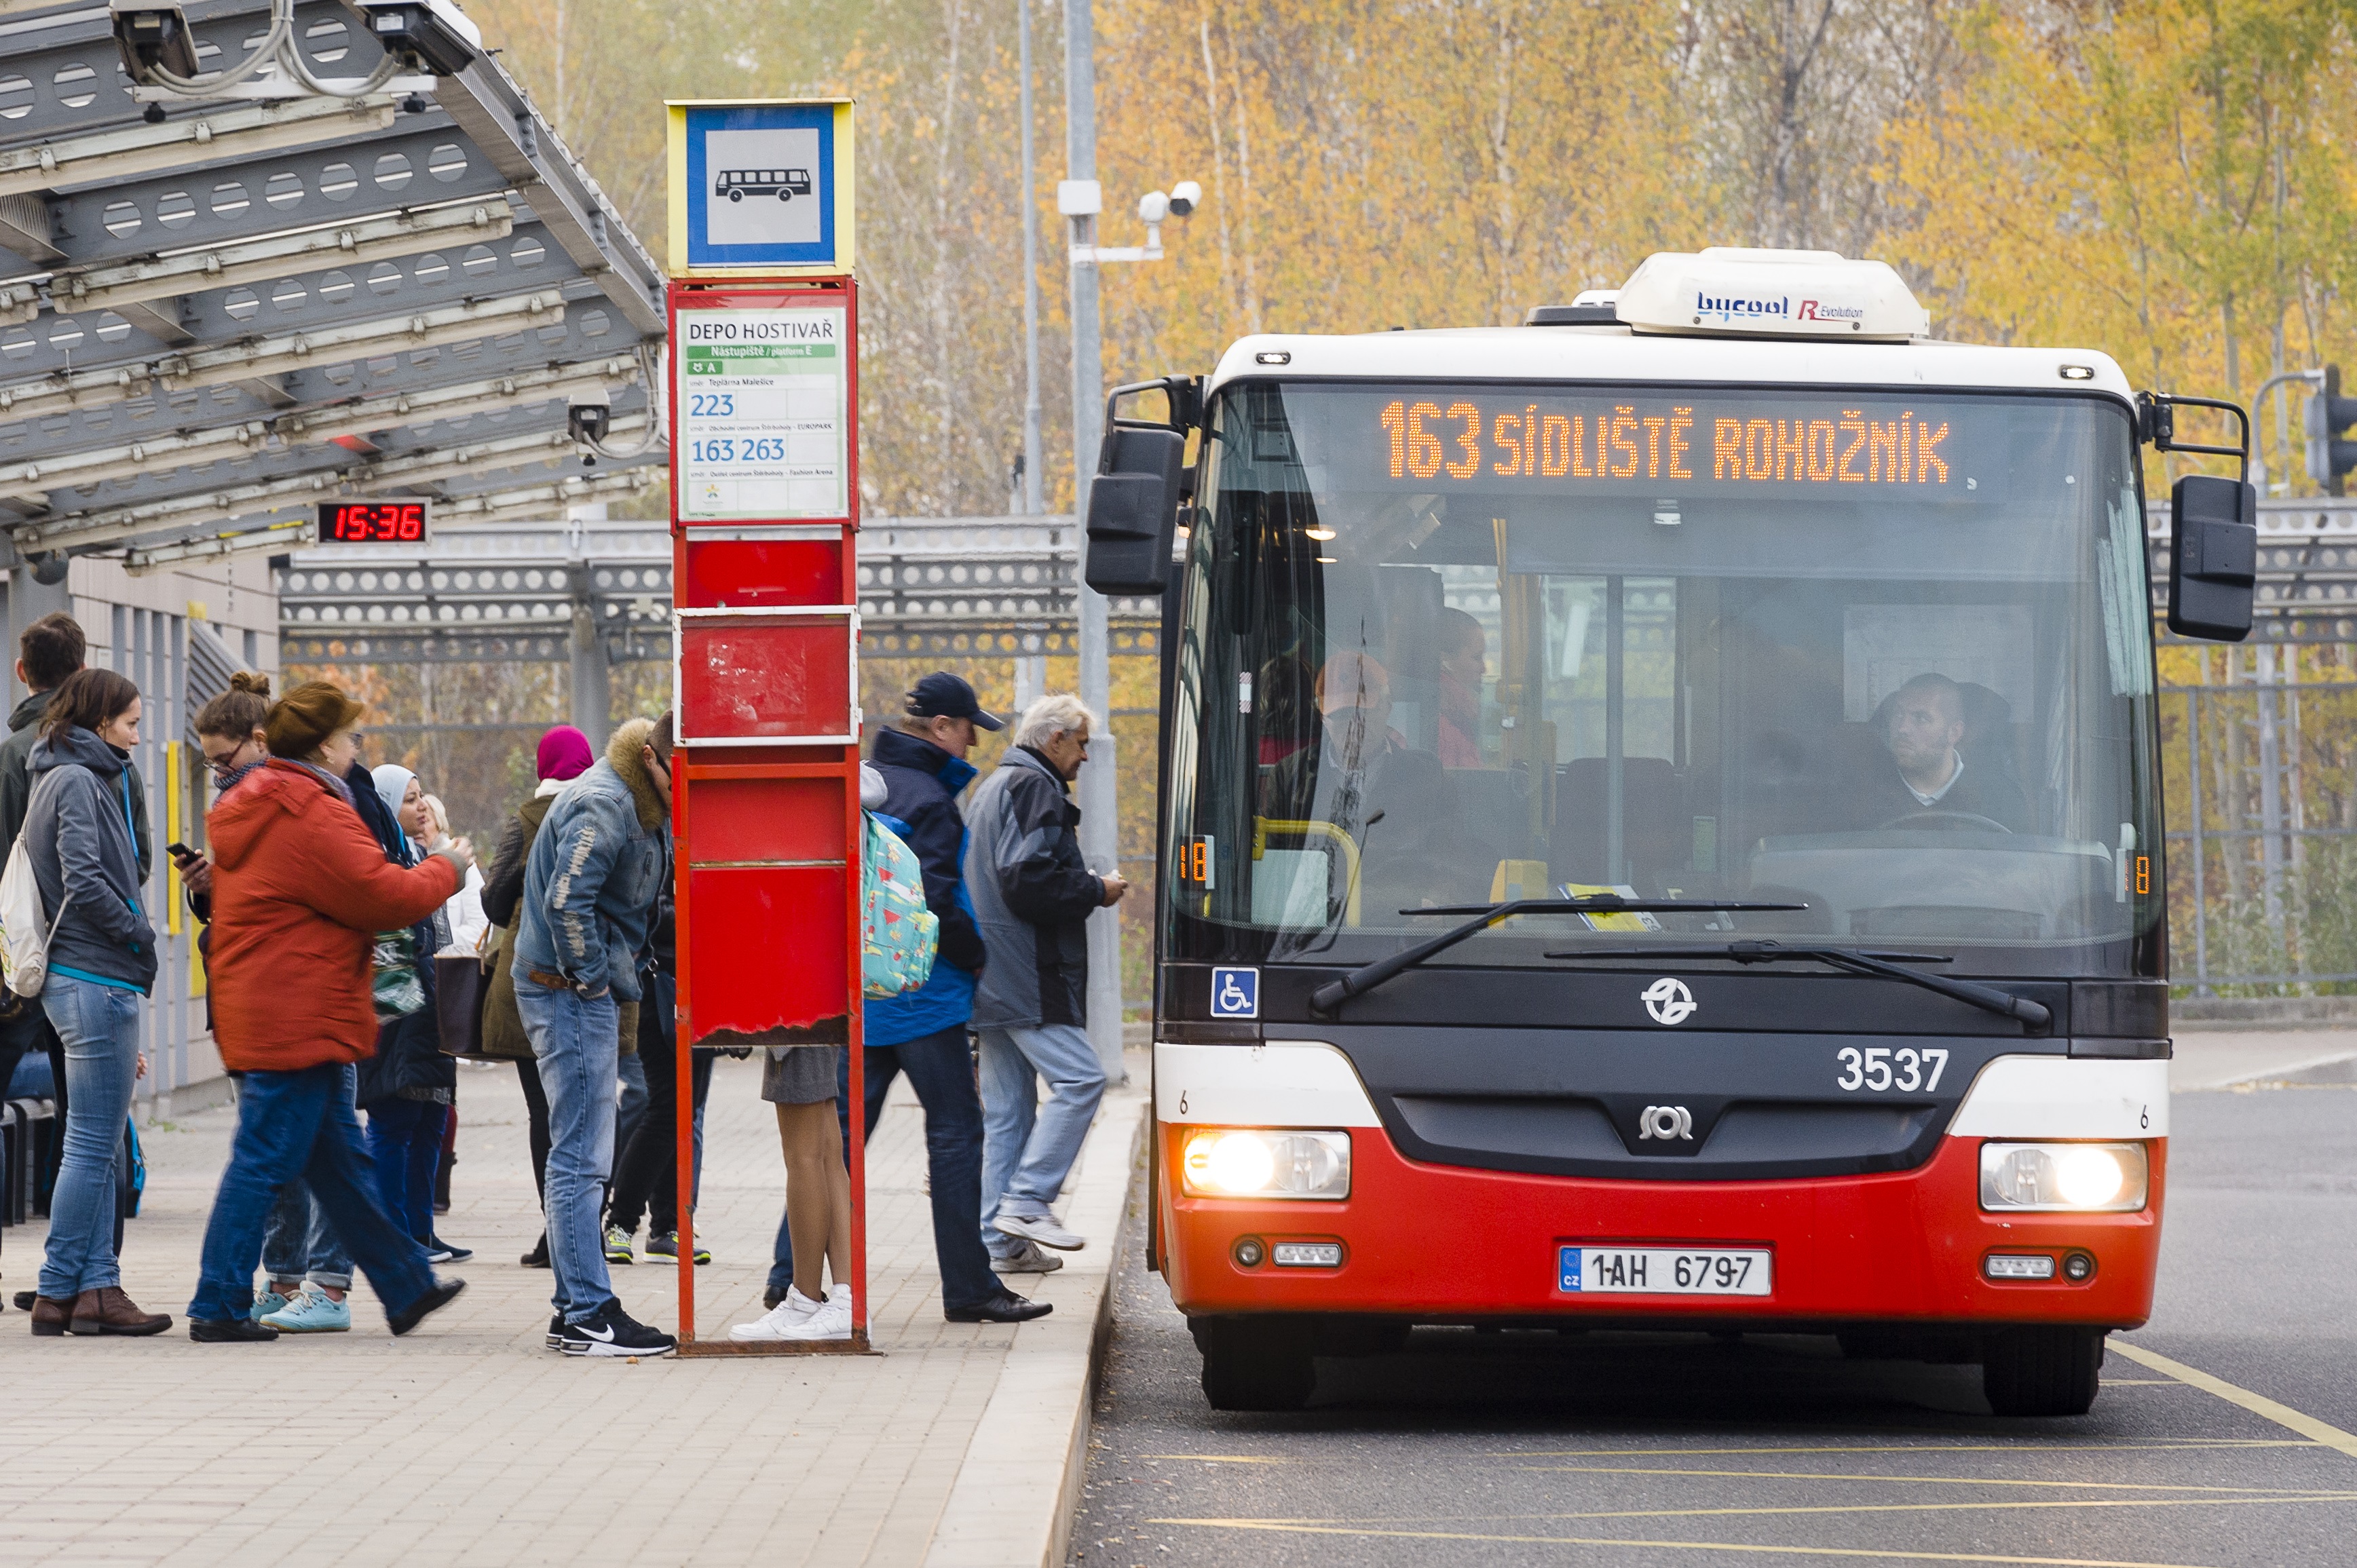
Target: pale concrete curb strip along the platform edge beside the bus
{"type": "Point", "coordinates": [1012, 1501]}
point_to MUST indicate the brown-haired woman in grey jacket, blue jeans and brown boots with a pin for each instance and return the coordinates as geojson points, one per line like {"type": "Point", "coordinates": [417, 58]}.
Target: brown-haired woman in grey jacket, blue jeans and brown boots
{"type": "Point", "coordinates": [103, 958]}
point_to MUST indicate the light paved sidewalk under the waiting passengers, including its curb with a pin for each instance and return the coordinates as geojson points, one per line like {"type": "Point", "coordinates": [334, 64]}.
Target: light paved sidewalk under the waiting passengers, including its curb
{"type": "Point", "coordinates": [473, 1444]}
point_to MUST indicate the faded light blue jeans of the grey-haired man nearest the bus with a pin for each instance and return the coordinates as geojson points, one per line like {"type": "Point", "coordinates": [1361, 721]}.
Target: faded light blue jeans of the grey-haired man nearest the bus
{"type": "Point", "coordinates": [1029, 1149]}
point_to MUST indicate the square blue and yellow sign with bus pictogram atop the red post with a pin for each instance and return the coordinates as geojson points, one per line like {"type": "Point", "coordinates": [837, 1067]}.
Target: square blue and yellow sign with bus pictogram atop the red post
{"type": "Point", "coordinates": [701, 140]}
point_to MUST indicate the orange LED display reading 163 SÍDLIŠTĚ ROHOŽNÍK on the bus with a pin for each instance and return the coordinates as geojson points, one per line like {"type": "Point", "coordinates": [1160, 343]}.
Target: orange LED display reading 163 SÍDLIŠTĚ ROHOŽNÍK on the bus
{"type": "Point", "coordinates": [1625, 442]}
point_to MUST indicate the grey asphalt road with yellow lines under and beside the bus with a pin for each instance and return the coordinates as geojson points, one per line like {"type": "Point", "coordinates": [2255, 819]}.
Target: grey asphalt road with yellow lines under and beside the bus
{"type": "Point", "coordinates": [1637, 1451]}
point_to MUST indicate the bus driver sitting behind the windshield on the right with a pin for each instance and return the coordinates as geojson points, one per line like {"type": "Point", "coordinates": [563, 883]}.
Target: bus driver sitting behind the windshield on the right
{"type": "Point", "coordinates": [1932, 775]}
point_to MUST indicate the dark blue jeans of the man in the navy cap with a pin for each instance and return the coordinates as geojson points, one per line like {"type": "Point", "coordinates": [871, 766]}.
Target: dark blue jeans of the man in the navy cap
{"type": "Point", "coordinates": [942, 1072]}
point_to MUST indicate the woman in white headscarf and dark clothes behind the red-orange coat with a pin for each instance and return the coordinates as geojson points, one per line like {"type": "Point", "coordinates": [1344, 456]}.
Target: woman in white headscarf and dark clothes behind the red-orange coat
{"type": "Point", "coordinates": [407, 1088]}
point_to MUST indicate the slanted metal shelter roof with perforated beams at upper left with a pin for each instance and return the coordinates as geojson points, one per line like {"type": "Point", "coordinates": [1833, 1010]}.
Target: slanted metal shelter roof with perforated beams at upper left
{"type": "Point", "coordinates": [218, 312]}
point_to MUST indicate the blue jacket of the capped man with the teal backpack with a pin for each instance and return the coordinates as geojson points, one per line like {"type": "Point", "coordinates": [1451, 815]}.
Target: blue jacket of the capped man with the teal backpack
{"type": "Point", "coordinates": [923, 810]}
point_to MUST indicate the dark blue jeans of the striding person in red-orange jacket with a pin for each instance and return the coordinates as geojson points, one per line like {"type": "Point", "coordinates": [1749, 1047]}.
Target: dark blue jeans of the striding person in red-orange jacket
{"type": "Point", "coordinates": [303, 1126]}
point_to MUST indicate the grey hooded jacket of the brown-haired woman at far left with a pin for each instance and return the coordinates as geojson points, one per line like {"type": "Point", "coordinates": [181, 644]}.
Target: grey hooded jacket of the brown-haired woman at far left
{"type": "Point", "coordinates": [79, 834]}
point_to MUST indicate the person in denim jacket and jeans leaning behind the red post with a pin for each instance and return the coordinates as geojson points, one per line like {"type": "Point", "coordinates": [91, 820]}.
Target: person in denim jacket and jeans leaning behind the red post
{"type": "Point", "coordinates": [590, 892]}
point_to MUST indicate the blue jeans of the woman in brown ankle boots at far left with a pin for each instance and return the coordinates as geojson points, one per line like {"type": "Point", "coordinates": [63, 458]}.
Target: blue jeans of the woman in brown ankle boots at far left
{"type": "Point", "coordinates": [100, 1027]}
